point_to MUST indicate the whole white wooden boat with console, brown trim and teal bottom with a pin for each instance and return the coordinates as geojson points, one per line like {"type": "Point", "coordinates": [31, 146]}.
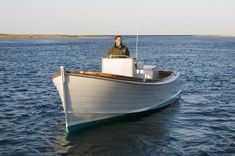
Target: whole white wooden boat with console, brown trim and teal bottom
{"type": "Point", "coordinates": [123, 87]}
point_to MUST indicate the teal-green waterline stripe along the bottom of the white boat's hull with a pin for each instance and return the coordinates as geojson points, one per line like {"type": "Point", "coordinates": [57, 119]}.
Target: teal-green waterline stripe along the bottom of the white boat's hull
{"type": "Point", "coordinates": [82, 126]}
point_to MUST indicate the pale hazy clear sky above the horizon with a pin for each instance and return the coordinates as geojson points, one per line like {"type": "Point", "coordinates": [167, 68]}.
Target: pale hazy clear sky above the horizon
{"type": "Point", "coordinates": [112, 17]}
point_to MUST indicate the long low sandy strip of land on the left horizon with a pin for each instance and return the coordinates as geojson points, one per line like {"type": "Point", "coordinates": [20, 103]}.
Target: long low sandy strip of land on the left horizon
{"type": "Point", "coordinates": [49, 36]}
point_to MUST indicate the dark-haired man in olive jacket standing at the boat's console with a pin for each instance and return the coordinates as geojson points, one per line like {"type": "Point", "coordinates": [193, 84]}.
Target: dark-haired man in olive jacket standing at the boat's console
{"type": "Point", "coordinates": [118, 49]}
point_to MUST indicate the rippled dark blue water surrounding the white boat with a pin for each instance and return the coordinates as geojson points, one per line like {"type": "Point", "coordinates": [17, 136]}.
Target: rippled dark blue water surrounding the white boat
{"type": "Point", "coordinates": [201, 123]}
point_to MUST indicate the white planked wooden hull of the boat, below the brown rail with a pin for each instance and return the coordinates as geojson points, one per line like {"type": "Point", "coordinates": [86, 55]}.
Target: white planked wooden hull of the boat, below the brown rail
{"type": "Point", "coordinates": [88, 99]}
